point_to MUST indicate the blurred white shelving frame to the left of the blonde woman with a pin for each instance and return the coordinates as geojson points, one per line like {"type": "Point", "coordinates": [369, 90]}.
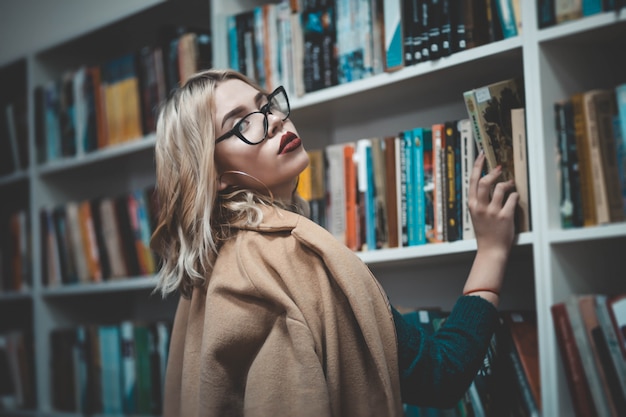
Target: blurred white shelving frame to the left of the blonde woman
{"type": "Point", "coordinates": [36, 308]}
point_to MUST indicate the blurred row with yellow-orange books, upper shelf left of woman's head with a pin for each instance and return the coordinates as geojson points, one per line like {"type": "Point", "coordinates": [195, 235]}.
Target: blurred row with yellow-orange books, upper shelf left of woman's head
{"type": "Point", "coordinates": [95, 106]}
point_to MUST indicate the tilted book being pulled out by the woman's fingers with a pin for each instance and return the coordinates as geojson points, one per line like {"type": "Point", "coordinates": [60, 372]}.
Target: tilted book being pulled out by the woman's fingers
{"type": "Point", "coordinates": [489, 109]}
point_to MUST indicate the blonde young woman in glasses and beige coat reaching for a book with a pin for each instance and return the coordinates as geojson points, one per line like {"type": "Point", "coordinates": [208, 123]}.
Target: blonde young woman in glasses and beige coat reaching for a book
{"type": "Point", "coordinates": [276, 316]}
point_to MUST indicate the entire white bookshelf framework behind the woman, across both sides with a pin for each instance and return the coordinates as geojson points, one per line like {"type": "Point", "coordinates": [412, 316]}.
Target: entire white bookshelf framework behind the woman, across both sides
{"type": "Point", "coordinates": [547, 264]}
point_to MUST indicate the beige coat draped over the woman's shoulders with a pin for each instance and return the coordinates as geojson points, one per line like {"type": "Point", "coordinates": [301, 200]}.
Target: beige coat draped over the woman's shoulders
{"type": "Point", "coordinates": [292, 324]}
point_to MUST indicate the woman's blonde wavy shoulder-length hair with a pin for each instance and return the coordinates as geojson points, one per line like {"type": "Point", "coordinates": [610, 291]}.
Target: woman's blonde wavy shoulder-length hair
{"type": "Point", "coordinates": [194, 217]}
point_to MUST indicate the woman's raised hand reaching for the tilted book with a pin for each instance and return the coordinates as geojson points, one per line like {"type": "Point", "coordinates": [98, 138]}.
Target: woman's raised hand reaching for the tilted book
{"type": "Point", "coordinates": [492, 213]}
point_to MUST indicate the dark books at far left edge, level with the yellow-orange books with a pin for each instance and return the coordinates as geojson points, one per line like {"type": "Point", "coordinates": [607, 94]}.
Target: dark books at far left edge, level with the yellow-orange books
{"type": "Point", "coordinates": [13, 137]}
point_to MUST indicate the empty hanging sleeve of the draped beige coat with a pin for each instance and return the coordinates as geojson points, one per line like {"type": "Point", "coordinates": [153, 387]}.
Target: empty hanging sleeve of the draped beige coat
{"type": "Point", "coordinates": [258, 354]}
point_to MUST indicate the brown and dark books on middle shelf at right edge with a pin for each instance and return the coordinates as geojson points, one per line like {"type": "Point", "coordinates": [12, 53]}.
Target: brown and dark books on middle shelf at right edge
{"type": "Point", "coordinates": [591, 143]}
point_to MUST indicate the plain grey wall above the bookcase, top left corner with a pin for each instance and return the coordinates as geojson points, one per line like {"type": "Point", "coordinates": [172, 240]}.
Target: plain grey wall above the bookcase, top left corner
{"type": "Point", "coordinates": [27, 26]}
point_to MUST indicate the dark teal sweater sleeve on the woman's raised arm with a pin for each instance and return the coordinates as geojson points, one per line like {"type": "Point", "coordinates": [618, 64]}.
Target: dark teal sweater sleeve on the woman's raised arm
{"type": "Point", "coordinates": [437, 369]}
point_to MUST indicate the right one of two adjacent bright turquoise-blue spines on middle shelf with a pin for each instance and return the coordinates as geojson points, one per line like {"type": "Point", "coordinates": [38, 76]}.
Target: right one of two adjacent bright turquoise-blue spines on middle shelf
{"type": "Point", "coordinates": [421, 135]}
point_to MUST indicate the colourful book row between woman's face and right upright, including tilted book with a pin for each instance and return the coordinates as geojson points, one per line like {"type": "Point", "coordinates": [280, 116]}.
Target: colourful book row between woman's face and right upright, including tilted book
{"type": "Point", "coordinates": [411, 188]}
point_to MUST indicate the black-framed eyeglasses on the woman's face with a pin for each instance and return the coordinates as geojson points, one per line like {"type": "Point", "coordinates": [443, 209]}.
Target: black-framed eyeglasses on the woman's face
{"type": "Point", "coordinates": [252, 128]}
